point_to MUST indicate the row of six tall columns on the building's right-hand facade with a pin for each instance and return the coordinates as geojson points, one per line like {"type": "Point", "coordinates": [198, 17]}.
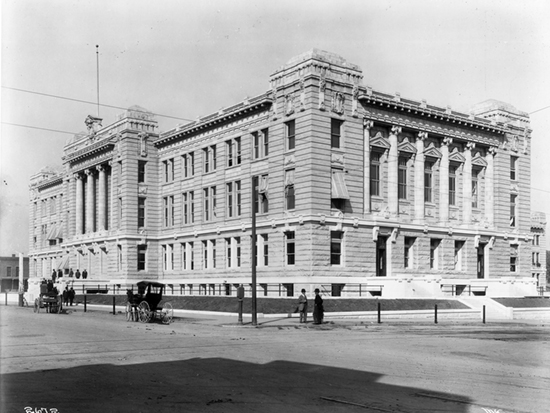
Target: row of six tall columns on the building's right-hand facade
{"type": "Point", "coordinates": [419, 164]}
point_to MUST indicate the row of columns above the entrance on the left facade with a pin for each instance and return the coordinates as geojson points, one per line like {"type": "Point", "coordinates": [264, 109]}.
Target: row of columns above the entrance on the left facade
{"type": "Point", "coordinates": [86, 205]}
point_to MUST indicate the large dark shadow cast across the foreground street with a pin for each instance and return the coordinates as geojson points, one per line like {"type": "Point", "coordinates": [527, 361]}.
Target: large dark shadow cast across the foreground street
{"type": "Point", "coordinates": [217, 385]}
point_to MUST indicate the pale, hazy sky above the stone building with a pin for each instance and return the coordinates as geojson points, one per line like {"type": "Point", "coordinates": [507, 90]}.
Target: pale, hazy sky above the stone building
{"type": "Point", "coordinates": [184, 59]}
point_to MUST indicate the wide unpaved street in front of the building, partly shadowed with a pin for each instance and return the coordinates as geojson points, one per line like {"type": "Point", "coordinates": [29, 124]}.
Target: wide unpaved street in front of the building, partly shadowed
{"type": "Point", "coordinates": [97, 362]}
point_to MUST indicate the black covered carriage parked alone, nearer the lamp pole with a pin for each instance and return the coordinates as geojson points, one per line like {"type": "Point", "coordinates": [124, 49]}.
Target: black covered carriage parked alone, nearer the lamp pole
{"type": "Point", "coordinates": [145, 305]}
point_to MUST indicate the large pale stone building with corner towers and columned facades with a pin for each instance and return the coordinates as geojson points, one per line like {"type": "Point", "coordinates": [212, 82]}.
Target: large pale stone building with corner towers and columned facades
{"type": "Point", "coordinates": [357, 192]}
